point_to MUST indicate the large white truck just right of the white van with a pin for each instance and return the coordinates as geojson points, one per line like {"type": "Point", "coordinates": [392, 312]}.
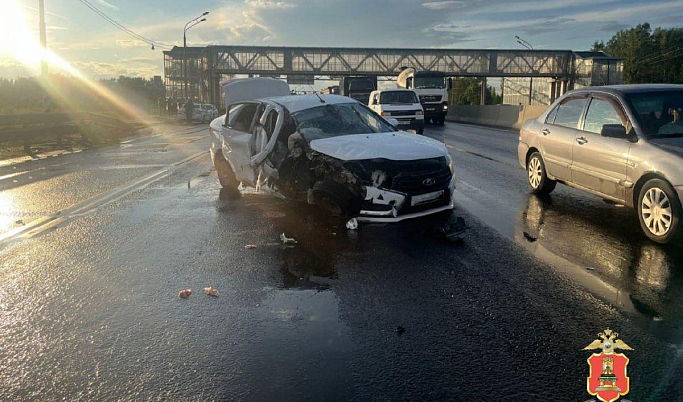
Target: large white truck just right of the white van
{"type": "Point", "coordinates": [431, 88]}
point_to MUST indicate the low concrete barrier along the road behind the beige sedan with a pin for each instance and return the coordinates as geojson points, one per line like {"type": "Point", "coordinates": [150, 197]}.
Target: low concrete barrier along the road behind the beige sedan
{"type": "Point", "coordinates": [508, 116]}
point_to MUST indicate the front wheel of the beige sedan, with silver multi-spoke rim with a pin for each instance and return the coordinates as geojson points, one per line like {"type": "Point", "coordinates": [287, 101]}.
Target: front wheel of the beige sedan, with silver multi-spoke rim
{"type": "Point", "coordinates": [659, 211]}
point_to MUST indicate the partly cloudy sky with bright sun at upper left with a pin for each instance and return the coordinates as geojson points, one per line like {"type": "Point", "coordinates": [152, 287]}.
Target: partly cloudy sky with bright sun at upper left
{"type": "Point", "coordinates": [86, 41]}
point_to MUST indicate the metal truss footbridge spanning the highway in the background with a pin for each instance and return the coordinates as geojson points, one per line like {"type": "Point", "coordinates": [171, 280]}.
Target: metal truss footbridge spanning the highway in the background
{"type": "Point", "coordinates": [206, 66]}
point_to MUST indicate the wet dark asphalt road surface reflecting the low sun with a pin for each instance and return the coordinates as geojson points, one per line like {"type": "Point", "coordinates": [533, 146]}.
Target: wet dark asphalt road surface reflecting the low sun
{"type": "Point", "coordinates": [89, 307]}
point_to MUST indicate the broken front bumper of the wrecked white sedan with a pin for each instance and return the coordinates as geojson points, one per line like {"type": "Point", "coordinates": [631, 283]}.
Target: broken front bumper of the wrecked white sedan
{"type": "Point", "coordinates": [386, 206]}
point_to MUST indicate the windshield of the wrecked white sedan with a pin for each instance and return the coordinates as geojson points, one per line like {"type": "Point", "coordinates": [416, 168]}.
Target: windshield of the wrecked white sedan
{"type": "Point", "coordinates": [341, 119]}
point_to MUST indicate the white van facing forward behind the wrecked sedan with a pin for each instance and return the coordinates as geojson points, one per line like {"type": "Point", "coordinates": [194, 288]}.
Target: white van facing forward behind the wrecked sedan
{"type": "Point", "coordinates": [400, 104]}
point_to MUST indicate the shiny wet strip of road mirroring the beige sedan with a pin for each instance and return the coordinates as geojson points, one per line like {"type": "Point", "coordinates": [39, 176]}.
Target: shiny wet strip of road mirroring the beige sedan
{"type": "Point", "coordinates": [600, 248]}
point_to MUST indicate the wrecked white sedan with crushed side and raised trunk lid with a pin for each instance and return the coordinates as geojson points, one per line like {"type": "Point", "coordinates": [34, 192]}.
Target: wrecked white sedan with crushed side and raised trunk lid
{"type": "Point", "coordinates": [330, 151]}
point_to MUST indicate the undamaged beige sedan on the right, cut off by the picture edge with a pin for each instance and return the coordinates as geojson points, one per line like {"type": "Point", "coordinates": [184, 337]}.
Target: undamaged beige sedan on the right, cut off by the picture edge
{"type": "Point", "coordinates": [623, 143]}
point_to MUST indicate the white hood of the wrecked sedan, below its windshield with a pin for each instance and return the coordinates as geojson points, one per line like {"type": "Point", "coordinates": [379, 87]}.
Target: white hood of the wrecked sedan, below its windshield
{"type": "Point", "coordinates": [398, 145]}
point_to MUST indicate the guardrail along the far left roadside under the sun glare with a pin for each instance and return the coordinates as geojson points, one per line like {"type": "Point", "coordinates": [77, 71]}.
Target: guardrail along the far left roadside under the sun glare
{"type": "Point", "coordinates": [27, 128]}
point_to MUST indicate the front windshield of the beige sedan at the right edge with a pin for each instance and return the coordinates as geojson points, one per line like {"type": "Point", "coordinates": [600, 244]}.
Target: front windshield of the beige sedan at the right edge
{"type": "Point", "coordinates": [660, 113]}
